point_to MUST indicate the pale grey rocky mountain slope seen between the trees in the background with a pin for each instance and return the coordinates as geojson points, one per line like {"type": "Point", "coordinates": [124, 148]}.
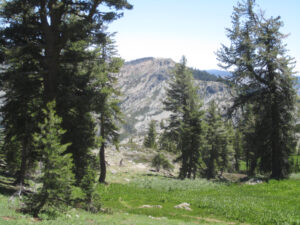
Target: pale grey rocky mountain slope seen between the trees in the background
{"type": "Point", "coordinates": [143, 83]}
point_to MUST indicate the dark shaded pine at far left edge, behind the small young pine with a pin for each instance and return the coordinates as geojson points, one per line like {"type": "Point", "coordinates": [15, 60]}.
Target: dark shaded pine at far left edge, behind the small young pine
{"type": "Point", "coordinates": [21, 110]}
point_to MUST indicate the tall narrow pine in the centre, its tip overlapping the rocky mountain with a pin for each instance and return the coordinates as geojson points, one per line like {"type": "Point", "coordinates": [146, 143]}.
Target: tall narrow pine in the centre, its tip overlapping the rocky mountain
{"type": "Point", "coordinates": [186, 121]}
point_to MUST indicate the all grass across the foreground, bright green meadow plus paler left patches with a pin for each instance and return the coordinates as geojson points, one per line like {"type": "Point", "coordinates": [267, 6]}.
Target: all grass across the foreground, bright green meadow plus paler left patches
{"type": "Point", "coordinates": [276, 202]}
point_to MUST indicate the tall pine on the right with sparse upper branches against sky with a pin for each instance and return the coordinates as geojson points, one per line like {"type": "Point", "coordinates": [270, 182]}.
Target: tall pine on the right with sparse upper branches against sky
{"type": "Point", "coordinates": [262, 74]}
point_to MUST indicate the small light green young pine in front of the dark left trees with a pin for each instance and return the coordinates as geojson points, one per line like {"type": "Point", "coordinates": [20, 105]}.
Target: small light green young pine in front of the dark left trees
{"type": "Point", "coordinates": [57, 178]}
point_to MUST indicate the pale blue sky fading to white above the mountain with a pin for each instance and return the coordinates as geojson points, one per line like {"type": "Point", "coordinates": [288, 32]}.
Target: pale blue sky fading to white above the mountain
{"type": "Point", "coordinates": [194, 28]}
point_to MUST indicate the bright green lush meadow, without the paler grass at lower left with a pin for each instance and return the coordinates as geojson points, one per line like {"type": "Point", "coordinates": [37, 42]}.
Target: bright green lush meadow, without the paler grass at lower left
{"type": "Point", "coordinates": [276, 202]}
